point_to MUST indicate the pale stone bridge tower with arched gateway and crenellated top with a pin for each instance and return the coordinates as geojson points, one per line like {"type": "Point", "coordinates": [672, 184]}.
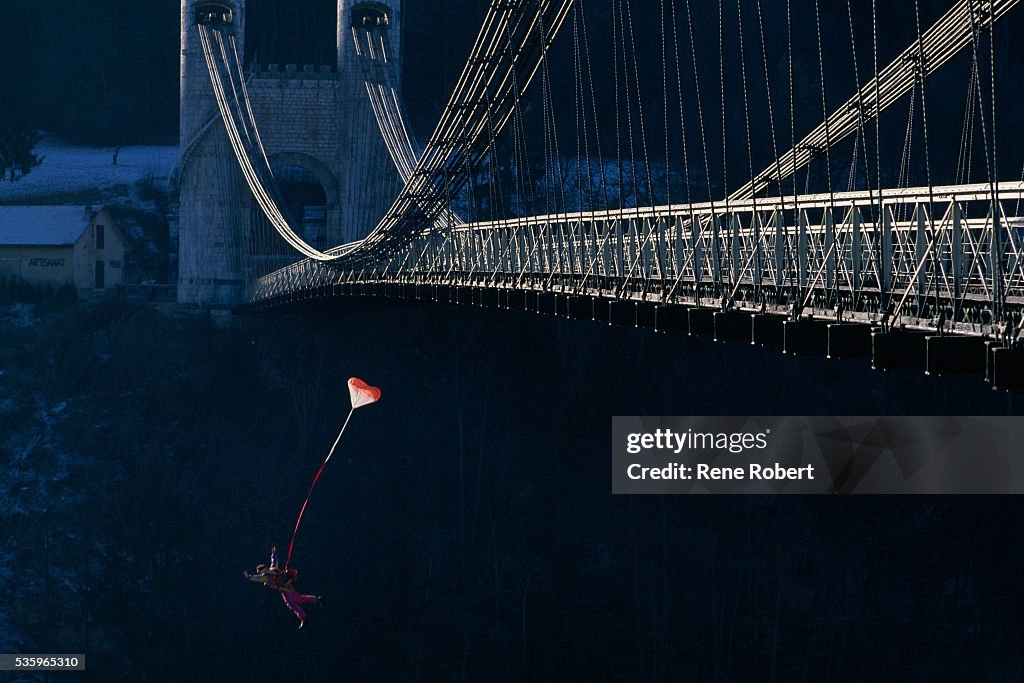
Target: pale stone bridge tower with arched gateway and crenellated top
{"type": "Point", "coordinates": [321, 138]}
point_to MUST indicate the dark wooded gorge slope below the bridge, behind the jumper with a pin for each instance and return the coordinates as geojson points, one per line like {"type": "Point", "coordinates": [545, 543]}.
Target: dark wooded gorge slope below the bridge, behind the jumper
{"type": "Point", "coordinates": [466, 529]}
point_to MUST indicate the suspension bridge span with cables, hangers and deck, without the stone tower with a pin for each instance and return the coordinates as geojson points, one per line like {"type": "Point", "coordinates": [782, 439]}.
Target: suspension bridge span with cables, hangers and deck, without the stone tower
{"type": "Point", "coordinates": [638, 215]}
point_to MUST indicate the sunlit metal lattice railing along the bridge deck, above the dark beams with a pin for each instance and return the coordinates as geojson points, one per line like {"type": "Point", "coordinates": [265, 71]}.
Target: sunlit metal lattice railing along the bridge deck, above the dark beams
{"type": "Point", "coordinates": [895, 252]}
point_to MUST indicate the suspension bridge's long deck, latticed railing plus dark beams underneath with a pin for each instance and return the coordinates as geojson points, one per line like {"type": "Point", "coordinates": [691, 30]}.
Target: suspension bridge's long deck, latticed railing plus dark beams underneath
{"type": "Point", "coordinates": [815, 273]}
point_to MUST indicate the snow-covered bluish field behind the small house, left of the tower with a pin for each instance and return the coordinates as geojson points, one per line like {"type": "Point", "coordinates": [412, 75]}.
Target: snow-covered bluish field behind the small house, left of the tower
{"type": "Point", "coordinates": [71, 172]}
